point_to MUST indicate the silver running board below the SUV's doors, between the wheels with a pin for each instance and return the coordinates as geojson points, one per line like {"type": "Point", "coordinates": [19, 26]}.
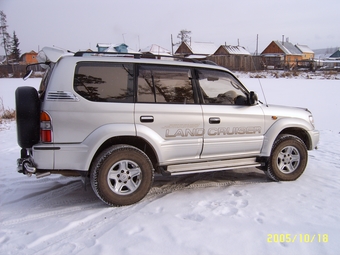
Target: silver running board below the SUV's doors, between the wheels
{"type": "Point", "coordinates": [212, 166]}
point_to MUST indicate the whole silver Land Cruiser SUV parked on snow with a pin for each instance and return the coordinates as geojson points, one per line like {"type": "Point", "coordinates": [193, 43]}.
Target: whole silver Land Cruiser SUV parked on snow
{"type": "Point", "coordinates": [117, 119]}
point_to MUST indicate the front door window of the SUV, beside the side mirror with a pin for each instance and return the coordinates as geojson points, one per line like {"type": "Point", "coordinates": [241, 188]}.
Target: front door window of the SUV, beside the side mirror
{"type": "Point", "coordinates": [220, 87]}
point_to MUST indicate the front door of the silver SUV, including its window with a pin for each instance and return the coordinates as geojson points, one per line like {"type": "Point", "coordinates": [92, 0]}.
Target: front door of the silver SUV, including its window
{"type": "Point", "coordinates": [233, 128]}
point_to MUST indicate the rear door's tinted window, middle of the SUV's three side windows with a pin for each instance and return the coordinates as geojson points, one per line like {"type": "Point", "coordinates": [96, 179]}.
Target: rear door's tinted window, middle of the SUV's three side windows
{"type": "Point", "coordinates": [165, 84]}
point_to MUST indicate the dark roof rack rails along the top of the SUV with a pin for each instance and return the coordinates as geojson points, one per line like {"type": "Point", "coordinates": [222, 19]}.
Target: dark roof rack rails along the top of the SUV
{"type": "Point", "coordinates": [141, 55]}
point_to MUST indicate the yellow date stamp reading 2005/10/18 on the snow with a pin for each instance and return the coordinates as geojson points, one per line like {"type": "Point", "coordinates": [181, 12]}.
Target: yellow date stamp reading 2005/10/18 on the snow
{"type": "Point", "coordinates": [302, 238]}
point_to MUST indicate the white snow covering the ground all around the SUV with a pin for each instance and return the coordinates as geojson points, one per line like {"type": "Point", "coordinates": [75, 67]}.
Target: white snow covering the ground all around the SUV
{"type": "Point", "coordinates": [231, 212]}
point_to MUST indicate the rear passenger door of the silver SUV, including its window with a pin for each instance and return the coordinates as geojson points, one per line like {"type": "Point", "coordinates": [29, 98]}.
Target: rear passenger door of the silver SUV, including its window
{"type": "Point", "coordinates": [167, 112]}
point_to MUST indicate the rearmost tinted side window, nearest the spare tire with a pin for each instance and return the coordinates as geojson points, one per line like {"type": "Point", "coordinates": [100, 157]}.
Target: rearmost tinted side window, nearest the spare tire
{"type": "Point", "coordinates": [104, 82]}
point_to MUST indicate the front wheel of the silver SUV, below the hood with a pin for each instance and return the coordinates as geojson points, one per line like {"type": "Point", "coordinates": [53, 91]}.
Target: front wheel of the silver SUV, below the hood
{"type": "Point", "coordinates": [288, 159]}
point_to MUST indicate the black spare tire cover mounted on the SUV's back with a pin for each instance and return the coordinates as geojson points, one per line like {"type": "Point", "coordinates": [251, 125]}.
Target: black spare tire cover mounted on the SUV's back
{"type": "Point", "coordinates": [28, 116]}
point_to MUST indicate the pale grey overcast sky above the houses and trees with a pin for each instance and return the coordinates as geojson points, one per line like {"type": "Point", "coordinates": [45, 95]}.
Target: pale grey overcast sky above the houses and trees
{"type": "Point", "coordinates": [81, 24]}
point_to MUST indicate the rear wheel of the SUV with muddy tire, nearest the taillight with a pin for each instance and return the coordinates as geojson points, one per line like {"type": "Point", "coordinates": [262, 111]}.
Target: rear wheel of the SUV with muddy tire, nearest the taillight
{"type": "Point", "coordinates": [121, 175]}
